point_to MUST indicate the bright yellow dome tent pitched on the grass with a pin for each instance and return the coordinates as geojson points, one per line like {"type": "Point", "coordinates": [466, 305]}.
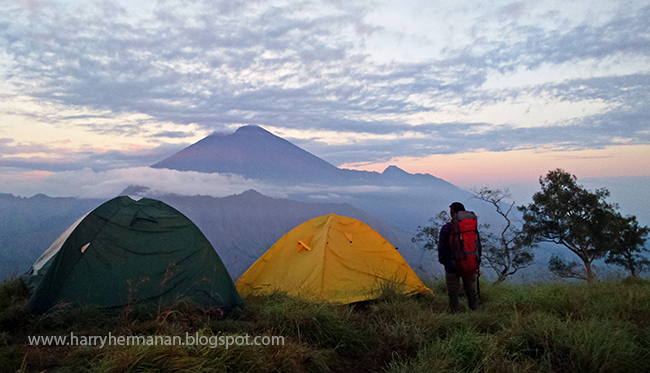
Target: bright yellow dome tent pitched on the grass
{"type": "Point", "coordinates": [332, 258]}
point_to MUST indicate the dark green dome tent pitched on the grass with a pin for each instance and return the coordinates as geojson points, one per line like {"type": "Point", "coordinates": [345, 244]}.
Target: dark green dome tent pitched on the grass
{"type": "Point", "coordinates": [130, 251]}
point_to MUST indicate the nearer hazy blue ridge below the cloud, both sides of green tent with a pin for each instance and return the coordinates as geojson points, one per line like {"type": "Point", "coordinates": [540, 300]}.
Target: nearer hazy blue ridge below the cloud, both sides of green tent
{"type": "Point", "coordinates": [241, 227]}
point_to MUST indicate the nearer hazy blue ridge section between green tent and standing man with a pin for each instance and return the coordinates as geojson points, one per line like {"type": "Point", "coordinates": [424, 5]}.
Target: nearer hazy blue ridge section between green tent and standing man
{"type": "Point", "coordinates": [242, 227]}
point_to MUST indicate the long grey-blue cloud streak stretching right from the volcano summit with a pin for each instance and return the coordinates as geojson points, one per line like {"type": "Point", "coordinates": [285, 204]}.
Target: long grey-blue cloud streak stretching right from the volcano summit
{"type": "Point", "coordinates": [597, 131]}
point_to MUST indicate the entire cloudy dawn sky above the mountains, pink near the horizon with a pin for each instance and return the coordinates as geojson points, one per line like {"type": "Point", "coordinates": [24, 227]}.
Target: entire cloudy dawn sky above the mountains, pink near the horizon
{"type": "Point", "coordinates": [477, 93]}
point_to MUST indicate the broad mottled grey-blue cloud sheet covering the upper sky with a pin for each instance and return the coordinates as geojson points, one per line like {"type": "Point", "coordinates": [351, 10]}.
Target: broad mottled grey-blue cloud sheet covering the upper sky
{"type": "Point", "coordinates": [305, 67]}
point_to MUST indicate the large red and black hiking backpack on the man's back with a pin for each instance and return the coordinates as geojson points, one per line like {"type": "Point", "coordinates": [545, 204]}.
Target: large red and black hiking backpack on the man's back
{"type": "Point", "coordinates": [465, 243]}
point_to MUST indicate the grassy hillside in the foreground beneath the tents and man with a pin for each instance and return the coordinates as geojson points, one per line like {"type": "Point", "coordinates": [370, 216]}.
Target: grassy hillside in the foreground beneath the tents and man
{"type": "Point", "coordinates": [602, 327]}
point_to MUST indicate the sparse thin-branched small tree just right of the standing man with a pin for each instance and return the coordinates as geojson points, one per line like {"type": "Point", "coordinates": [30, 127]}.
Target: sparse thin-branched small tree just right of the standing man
{"type": "Point", "coordinates": [509, 251]}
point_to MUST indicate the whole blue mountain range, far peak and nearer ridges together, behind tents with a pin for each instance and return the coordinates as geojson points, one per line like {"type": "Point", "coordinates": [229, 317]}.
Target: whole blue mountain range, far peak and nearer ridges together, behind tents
{"type": "Point", "coordinates": [243, 226]}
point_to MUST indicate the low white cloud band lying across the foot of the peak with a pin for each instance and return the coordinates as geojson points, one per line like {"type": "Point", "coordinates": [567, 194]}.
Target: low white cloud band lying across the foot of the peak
{"type": "Point", "coordinates": [87, 183]}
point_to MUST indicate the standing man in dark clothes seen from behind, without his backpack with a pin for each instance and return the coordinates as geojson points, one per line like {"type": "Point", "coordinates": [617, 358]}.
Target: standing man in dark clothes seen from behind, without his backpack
{"type": "Point", "coordinates": [452, 274]}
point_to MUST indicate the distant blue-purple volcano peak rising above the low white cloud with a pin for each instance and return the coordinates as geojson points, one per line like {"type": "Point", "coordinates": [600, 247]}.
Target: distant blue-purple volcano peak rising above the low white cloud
{"type": "Point", "coordinates": [256, 153]}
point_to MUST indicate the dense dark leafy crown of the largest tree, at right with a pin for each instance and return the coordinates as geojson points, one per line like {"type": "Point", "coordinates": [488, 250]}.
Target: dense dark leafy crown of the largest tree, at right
{"type": "Point", "coordinates": [565, 213]}
